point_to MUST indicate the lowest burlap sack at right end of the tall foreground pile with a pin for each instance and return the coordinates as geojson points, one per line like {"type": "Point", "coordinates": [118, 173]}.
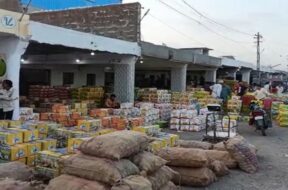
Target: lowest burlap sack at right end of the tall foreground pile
{"type": "Point", "coordinates": [161, 177]}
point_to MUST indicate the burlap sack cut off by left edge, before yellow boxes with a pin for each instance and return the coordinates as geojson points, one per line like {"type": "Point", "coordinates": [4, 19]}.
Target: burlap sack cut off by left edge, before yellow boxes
{"type": "Point", "coordinates": [15, 170]}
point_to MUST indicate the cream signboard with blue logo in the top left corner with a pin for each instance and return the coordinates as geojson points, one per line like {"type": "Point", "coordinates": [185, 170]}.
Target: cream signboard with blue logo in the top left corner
{"type": "Point", "coordinates": [9, 23]}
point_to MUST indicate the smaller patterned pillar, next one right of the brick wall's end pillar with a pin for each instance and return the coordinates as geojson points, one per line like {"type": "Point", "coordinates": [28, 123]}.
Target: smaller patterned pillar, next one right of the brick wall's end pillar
{"type": "Point", "coordinates": [178, 78]}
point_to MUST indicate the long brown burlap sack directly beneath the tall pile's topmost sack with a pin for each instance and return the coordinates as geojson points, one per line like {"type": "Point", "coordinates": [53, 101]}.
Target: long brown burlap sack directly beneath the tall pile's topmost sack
{"type": "Point", "coordinates": [99, 169]}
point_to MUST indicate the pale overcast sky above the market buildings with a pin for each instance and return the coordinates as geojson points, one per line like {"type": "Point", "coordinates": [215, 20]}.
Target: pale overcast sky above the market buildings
{"type": "Point", "coordinates": [176, 24]}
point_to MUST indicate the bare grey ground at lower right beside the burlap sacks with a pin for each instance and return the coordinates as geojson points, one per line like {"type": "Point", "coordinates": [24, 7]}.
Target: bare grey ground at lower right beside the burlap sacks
{"type": "Point", "coordinates": [273, 161]}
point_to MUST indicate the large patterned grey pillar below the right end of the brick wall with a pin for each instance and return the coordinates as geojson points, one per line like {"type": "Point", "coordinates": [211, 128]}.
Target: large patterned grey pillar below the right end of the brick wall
{"type": "Point", "coordinates": [124, 80]}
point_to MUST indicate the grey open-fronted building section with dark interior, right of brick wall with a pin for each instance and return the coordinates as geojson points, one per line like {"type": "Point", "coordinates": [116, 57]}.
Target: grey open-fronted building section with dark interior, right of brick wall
{"type": "Point", "coordinates": [169, 68]}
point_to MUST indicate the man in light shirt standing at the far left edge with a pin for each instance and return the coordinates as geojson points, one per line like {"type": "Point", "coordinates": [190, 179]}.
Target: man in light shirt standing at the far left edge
{"type": "Point", "coordinates": [7, 99]}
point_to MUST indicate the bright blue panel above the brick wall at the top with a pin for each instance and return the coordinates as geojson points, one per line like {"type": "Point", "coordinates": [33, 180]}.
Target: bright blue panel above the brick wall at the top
{"type": "Point", "coordinates": [65, 4]}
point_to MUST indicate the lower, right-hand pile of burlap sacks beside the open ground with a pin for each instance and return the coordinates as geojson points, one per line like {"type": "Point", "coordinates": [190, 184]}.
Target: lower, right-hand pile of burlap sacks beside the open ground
{"type": "Point", "coordinates": [200, 163]}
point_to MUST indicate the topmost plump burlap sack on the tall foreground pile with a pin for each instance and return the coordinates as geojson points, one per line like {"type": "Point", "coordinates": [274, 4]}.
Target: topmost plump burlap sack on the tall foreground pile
{"type": "Point", "coordinates": [116, 145]}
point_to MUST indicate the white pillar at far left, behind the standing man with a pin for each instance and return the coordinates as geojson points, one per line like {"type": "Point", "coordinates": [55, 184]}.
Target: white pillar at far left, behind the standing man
{"type": "Point", "coordinates": [12, 48]}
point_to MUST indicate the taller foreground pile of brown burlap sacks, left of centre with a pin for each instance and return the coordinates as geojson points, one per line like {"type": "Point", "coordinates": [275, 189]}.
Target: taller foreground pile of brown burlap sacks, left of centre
{"type": "Point", "coordinates": [116, 161]}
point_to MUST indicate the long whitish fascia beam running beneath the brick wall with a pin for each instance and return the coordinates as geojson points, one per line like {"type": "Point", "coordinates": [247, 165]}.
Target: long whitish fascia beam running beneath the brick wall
{"type": "Point", "coordinates": [48, 34]}
